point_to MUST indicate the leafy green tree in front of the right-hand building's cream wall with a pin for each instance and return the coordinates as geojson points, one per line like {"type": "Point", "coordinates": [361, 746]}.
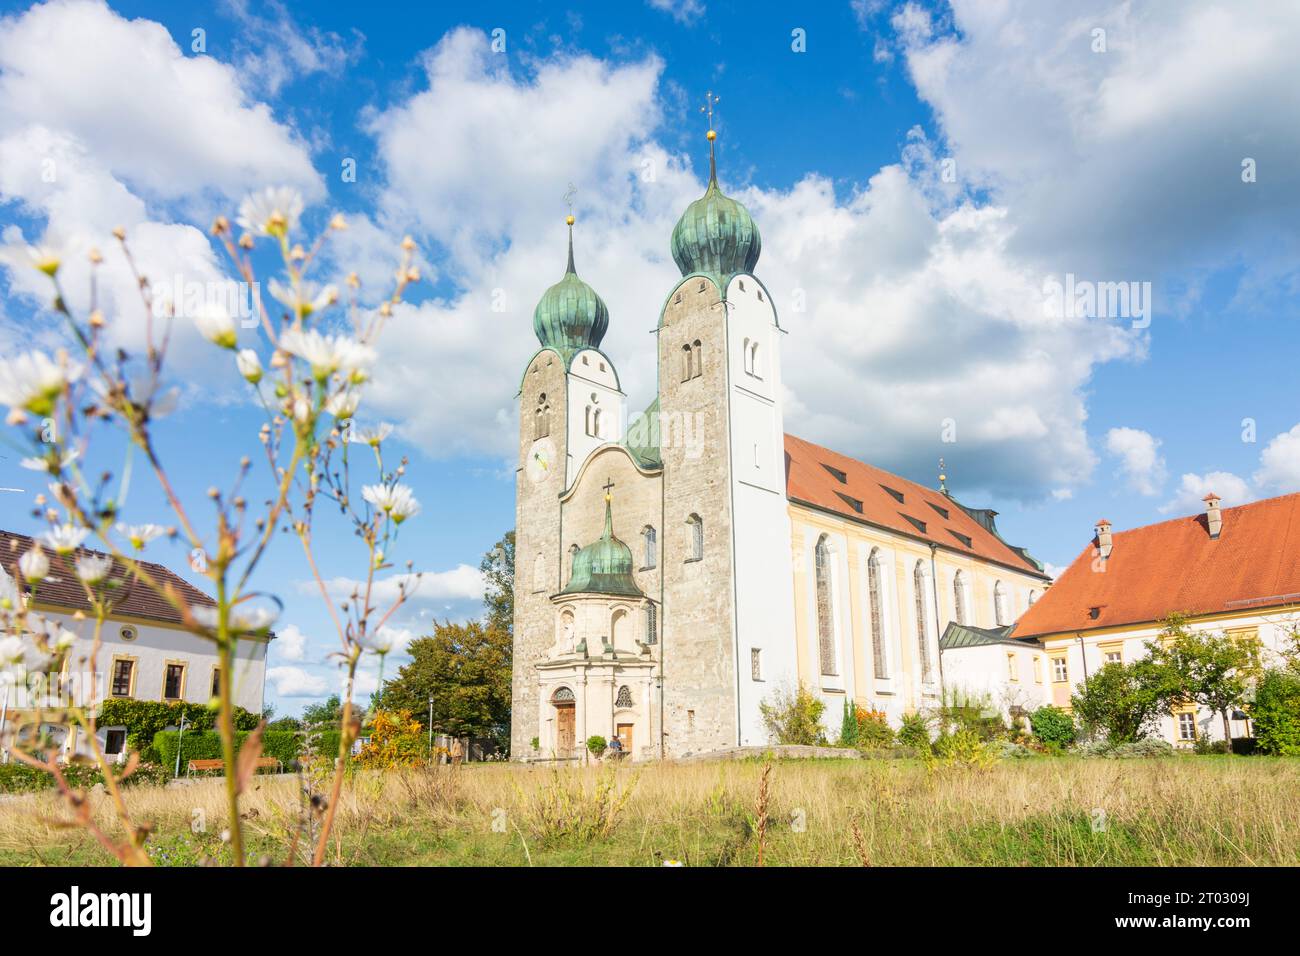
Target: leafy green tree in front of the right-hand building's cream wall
{"type": "Point", "coordinates": [1208, 668]}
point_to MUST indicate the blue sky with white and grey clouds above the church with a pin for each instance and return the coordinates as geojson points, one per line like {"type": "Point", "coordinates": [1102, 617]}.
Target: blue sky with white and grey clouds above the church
{"type": "Point", "coordinates": [925, 297]}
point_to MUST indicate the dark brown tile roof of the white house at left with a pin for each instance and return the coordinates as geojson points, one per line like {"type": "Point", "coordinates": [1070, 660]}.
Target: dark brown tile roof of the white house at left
{"type": "Point", "coordinates": [136, 600]}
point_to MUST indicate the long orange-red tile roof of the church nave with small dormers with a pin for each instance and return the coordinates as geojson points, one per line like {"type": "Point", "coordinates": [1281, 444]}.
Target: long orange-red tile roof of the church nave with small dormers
{"type": "Point", "coordinates": [865, 496]}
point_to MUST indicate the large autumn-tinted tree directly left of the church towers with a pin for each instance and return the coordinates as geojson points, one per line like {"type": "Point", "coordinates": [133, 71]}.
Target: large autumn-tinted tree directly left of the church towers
{"type": "Point", "coordinates": [466, 671]}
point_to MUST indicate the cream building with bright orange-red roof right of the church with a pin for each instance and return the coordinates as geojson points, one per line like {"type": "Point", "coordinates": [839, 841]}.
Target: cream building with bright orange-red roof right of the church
{"type": "Point", "coordinates": [1234, 570]}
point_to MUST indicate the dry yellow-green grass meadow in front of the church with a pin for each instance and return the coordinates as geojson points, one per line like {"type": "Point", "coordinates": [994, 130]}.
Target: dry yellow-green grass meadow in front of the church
{"type": "Point", "coordinates": [1041, 812]}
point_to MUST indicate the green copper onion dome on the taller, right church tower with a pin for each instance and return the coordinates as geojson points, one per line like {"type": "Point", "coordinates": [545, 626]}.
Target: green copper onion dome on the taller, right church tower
{"type": "Point", "coordinates": [716, 236]}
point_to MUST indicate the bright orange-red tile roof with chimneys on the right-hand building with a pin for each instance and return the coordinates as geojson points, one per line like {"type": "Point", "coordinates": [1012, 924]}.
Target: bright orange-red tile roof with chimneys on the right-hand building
{"type": "Point", "coordinates": [1177, 568]}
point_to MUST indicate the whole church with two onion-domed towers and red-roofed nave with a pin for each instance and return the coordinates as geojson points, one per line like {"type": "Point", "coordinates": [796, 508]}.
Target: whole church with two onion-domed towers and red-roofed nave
{"type": "Point", "coordinates": [678, 566]}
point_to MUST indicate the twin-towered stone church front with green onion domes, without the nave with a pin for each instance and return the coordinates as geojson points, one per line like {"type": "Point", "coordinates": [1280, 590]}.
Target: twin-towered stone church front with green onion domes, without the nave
{"type": "Point", "coordinates": [675, 657]}
